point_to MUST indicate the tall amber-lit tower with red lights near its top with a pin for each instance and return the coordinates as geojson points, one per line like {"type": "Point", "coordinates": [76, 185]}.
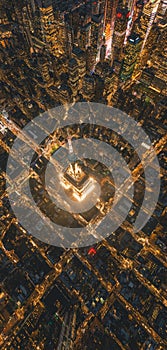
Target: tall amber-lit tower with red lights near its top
{"type": "Point", "coordinates": [120, 27]}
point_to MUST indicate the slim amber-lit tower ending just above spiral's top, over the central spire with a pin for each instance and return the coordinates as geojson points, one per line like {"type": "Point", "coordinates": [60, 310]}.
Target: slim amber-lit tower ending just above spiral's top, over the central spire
{"type": "Point", "coordinates": [73, 76]}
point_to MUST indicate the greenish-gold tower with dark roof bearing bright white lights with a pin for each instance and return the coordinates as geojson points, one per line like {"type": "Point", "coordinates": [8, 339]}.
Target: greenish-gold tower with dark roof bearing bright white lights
{"type": "Point", "coordinates": [132, 51]}
